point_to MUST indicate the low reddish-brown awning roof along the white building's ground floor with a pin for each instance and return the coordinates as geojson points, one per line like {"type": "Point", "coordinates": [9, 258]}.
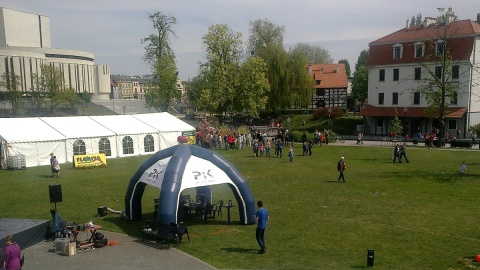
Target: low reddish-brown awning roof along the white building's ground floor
{"type": "Point", "coordinates": [370, 110]}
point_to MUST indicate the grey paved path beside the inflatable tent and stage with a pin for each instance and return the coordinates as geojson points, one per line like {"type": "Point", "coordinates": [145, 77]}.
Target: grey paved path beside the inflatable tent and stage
{"type": "Point", "coordinates": [128, 253]}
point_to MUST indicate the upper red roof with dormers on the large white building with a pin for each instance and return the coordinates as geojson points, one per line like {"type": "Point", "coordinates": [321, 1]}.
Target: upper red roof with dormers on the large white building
{"type": "Point", "coordinates": [462, 35]}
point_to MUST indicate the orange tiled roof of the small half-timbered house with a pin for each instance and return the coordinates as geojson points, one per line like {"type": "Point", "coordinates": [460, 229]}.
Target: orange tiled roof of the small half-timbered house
{"type": "Point", "coordinates": [330, 75]}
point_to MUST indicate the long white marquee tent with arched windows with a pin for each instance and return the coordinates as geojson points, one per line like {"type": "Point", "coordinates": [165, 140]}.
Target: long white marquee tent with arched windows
{"type": "Point", "coordinates": [36, 138]}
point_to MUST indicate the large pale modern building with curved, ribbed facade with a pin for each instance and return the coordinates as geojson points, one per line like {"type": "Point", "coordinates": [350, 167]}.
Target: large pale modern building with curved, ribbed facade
{"type": "Point", "coordinates": [25, 45]}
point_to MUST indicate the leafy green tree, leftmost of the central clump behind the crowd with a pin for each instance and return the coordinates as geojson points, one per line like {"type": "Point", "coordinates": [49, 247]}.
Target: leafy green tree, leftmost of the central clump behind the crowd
{"type": "Point", "coordinates": [220, 72]}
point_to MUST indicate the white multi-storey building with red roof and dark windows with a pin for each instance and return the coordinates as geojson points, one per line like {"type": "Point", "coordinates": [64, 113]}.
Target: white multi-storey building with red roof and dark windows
{"type": "Point", "coordinates": [398, 64]}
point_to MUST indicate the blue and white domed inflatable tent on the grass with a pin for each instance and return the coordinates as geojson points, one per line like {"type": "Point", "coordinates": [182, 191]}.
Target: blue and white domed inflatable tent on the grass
{"type": "Point", "coordinates": [181, 167]}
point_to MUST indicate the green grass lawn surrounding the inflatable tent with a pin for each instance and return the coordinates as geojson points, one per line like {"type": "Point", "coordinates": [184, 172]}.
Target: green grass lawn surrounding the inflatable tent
{"type": "Point", "coordinates": [420, 215]}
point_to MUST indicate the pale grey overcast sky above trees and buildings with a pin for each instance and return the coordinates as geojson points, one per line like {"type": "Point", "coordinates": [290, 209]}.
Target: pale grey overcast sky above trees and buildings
{"type": "Point", "coordinates": [113, 29]}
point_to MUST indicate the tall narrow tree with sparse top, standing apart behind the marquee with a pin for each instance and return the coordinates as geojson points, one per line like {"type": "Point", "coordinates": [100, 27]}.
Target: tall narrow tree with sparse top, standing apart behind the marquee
{"type": "Point", "coordinates": [158, 53]}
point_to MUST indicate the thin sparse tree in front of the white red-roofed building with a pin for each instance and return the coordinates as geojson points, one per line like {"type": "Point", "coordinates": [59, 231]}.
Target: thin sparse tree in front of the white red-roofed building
{"type": "Point", "coordinates": [442, 75]}
